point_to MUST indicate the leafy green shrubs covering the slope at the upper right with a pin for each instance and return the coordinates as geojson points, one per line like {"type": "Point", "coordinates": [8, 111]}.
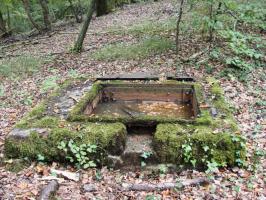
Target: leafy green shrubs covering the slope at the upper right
{"type": "Point", "coordinates": [232, 27]}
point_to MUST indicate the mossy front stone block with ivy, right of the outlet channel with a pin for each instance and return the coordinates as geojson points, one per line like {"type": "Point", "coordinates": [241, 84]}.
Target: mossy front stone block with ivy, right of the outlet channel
{"type": "Point", "coordinates": [197, 145]}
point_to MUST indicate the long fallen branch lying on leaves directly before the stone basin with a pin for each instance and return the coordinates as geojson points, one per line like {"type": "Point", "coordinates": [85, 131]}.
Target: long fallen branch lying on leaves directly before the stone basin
{"type": "Point", "coordinates": [165, 186]}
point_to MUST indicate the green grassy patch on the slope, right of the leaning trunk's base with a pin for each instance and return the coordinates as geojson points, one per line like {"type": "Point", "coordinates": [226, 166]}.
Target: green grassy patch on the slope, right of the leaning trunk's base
{"type": "Point", "coordinates": [141, 49]}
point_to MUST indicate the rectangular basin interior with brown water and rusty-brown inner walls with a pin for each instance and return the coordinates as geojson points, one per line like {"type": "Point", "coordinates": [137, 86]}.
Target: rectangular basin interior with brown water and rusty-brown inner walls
{"type": "Point", "coordinates": [138, 100]}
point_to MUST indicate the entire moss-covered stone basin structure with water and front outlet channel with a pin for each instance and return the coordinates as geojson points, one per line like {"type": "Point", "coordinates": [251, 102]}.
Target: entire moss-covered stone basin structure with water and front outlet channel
{"type": "Point", "coordinates": [135, 123]}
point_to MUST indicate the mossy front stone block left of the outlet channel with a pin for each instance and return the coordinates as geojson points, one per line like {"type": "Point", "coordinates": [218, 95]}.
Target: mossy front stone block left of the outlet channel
{"type": "Point", "coordinates": [110, 137]}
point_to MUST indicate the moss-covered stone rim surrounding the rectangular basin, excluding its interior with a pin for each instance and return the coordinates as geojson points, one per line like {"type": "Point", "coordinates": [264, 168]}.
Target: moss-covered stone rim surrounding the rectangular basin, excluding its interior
{"type": "Point", "coordinates": [206, 139]}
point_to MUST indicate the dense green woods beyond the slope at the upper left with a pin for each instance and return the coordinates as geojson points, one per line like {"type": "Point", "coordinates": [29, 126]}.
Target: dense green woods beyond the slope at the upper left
{"type": "Point", "coordinates": [20, 16]}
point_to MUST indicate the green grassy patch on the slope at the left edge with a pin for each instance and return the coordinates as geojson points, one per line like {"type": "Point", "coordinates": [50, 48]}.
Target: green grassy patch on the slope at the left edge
{"type": "Point", "coordinates": [20, 66]}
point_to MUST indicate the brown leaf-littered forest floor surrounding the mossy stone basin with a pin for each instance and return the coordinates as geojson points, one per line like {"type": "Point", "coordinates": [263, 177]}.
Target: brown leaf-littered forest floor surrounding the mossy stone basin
{"type": "Point", "coordinates": [19, 94]}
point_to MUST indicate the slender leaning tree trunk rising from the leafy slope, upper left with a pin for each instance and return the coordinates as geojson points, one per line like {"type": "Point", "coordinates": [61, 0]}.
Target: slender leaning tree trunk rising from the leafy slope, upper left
{"type": "Point", "coordinates": [79, 43]}
